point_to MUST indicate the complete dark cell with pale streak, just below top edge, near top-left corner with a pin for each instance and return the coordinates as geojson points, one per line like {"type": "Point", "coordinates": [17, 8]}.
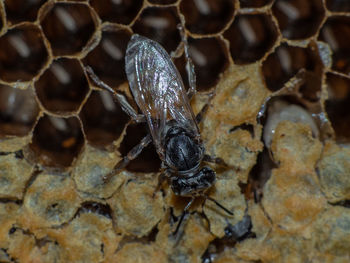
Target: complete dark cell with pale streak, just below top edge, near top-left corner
{"type": "Point", "coordinates": [68, 27]}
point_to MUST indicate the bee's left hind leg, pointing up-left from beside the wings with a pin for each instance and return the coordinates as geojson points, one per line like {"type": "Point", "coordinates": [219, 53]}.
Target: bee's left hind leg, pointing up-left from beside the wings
{"type": "Point", "coordinates": [127, 108]}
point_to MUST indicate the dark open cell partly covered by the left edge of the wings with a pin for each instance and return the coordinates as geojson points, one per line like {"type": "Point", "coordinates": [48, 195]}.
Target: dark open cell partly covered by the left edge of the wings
{"type": "Point", "coordinates": [107, 59]}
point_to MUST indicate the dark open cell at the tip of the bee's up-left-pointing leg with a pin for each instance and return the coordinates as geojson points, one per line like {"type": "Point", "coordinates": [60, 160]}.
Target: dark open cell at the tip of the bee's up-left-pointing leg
{"type": "Point", "coordinates": [63, 86]}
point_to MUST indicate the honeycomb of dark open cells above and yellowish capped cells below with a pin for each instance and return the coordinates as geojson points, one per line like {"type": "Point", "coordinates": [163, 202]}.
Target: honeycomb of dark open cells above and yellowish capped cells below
{"type": "Point", "coordinates": [273, 76]}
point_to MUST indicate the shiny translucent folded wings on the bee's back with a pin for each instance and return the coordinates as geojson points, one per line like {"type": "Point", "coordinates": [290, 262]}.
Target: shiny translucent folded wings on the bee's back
{"type": "Point", "coordinates": [157, 88]}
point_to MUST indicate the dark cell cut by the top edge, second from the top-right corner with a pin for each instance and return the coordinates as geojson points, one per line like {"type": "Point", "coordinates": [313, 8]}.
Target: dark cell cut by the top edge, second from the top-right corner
{"type": "Point", "coordinates": [298, 19]}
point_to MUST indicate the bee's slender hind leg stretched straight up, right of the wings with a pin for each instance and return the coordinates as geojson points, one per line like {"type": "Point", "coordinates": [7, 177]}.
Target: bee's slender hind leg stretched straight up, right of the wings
{"type": "Point", "coordinates": [189, 64]}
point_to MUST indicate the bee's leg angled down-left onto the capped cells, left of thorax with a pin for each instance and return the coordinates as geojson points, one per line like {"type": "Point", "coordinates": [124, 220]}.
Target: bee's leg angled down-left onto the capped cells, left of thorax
{"type": "Point", "coordinates": [131, 155]}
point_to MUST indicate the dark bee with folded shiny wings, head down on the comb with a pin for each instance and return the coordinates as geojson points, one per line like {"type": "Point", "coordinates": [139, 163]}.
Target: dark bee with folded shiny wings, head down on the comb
{"type": "Point", "coordinates": [159, 92]}
